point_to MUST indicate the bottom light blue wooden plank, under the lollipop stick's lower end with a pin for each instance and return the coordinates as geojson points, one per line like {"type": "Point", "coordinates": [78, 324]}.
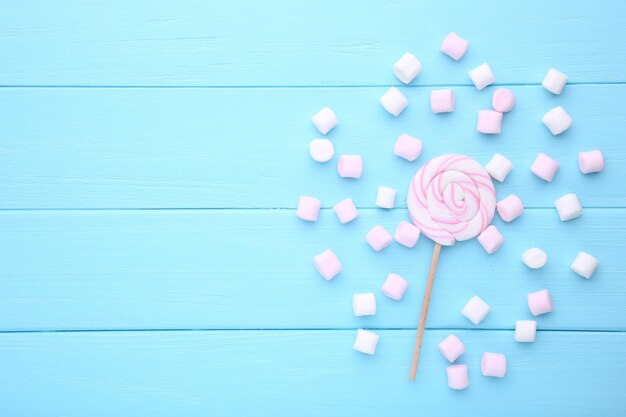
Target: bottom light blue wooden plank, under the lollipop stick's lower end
{"type": "Point", "coordinates": [304, 373]}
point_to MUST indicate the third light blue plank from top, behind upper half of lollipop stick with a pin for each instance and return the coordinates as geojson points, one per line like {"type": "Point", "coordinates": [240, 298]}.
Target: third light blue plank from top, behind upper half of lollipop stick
{"type": "Point", "coordinates": [253, 269]}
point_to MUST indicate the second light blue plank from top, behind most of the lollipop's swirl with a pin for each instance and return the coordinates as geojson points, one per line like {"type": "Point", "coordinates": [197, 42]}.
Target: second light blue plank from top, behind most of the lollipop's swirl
{"type": "Point", "coordinates": [248, 148]}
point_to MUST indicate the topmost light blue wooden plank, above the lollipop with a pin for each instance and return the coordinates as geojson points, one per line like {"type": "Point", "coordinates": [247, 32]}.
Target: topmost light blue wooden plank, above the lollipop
{"type": "Point", "coordinates": [320, 43]}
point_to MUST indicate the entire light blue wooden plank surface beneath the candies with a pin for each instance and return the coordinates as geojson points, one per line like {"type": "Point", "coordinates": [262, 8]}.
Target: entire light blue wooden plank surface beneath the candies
{"type": "Point", "coordinates": [151, 157]}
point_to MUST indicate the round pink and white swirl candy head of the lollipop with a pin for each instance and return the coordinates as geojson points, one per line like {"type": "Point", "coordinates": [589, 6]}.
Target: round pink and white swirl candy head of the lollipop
{"type": "Point", "coordinates": [451, 198]}
